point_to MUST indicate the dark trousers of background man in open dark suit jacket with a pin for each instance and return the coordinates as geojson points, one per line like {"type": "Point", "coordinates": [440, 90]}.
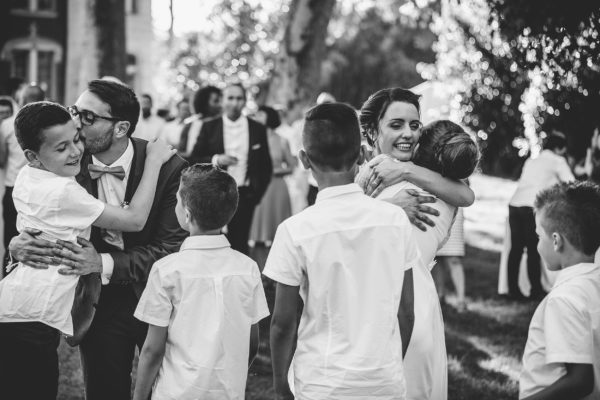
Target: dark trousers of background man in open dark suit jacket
{"type": "Point", "coordinates": [238, 229]}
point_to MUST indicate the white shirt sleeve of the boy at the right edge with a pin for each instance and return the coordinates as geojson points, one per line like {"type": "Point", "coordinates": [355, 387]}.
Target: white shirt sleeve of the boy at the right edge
{"type": "Point", "coordinates": [568, 333]}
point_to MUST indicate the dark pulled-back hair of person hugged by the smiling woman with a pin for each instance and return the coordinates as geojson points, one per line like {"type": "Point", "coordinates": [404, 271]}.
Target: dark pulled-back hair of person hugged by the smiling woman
{"type": "Point", "coordinates": [445, 147]}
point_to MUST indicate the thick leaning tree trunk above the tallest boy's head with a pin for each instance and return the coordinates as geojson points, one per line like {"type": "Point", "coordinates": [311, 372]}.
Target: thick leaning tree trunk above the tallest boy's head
{"type": "Point", "coordinates": [298, 71]}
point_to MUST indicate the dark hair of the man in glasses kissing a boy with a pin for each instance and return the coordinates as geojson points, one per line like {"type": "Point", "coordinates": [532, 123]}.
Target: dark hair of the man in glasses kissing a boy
{"type": "Point", "coordinates": [123, 102]}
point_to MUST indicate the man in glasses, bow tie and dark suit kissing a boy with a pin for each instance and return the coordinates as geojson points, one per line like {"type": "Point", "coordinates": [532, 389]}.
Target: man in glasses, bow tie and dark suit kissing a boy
{"type": "Point", "coordinates": [114, 265]}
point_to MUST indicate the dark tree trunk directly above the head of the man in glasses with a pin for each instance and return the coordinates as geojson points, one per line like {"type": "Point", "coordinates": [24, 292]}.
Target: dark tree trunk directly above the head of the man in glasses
{"type": "Point", "coordinates": [109, 21]}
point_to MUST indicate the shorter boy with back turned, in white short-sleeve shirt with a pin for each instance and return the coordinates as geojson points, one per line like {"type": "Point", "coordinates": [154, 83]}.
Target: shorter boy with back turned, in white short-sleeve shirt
{"type": "Point", "coordinates": [203, 303]}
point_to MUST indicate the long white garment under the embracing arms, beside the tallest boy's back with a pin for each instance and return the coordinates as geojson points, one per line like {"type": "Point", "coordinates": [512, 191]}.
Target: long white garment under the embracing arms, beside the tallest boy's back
{"type": "Point", "coordinates": [425, 362]}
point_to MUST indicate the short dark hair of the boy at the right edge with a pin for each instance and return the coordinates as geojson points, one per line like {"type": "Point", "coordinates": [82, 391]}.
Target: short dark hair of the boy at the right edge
{"type": "Point", "coordinates": [573, 210]}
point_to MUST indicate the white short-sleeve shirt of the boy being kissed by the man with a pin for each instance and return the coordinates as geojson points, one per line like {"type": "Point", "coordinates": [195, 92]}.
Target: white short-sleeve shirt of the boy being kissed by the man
{"type": "Point", "coordinates": [62, 209]}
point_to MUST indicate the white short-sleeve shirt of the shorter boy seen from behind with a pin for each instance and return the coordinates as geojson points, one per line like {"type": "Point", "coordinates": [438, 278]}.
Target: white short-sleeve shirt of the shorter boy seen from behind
{"type": "Point", "coordinates": [208, 295]}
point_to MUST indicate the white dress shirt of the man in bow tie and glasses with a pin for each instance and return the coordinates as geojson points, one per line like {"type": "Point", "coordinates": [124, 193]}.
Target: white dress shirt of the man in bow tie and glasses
{"type": "Point", "coordinates": [111, 190]}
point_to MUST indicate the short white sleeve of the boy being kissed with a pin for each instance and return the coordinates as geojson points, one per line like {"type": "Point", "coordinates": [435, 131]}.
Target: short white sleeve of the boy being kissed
{"type": "Point", "coordinates": [78, 208]}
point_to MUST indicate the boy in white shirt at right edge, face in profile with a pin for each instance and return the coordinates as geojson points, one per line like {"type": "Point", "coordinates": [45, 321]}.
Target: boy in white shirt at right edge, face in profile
{"type": "Point", "coordinates": [562, 354]}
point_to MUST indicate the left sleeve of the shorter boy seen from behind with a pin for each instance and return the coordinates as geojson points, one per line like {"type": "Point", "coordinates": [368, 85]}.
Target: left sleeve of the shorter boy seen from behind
{"type": "Point", "coordinates": [155, 306]}
